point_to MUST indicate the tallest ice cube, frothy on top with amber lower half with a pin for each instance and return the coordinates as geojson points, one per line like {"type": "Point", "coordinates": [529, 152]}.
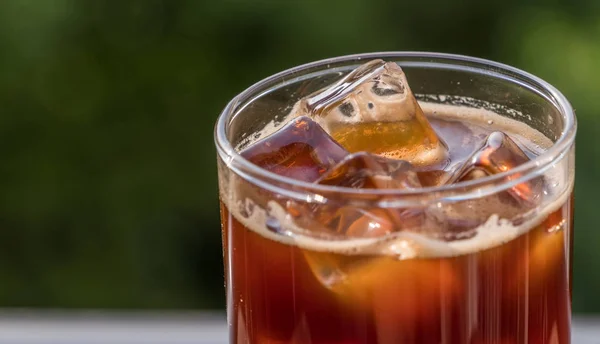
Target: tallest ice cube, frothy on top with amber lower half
{"type": "Point", "coordinates": [373, 109]}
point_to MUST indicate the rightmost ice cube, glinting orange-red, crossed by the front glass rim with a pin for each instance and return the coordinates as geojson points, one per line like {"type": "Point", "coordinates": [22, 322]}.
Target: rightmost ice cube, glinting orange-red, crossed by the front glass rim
{"type": "Point", "coordinates": [499, 153]}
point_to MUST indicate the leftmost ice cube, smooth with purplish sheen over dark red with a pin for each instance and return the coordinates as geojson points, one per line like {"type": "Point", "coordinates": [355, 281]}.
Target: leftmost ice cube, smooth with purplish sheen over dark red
{"type": "Point", "coordinates": [301, 150]}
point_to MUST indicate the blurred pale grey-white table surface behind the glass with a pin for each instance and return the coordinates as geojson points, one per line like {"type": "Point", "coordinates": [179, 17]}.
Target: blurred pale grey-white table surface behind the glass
{"type": "Point", "coordinates": [89, 327]}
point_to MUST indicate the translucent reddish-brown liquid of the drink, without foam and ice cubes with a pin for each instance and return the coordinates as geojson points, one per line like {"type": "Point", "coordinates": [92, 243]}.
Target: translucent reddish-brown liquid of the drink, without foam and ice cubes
{"type": "Point", "coordinates": [518, 292]}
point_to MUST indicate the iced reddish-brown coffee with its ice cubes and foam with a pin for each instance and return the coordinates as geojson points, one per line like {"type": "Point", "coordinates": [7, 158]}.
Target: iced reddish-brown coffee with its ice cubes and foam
{"type": "Point", "coordinates": [380, 218]}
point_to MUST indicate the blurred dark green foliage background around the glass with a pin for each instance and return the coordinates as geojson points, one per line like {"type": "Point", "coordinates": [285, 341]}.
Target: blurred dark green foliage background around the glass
{"type": "Point", "coordinates": [108, 179]}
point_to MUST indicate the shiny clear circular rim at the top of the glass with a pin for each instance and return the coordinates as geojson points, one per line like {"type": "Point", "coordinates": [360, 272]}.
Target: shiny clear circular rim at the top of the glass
{"type": "Point", "coordinates": [477, 188]}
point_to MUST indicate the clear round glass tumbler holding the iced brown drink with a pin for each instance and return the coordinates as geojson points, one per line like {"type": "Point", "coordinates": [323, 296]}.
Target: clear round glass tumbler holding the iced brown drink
{"type": "Point", "coordinates": [507, 281]}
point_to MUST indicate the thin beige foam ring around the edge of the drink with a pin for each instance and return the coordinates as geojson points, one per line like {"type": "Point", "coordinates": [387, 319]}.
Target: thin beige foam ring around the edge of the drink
{"type": "Point", "coordinates": [407, 244]}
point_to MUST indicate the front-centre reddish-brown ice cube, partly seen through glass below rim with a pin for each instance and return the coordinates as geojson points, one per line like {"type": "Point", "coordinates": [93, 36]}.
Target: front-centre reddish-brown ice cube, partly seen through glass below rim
{"type": "Point", "coordinates": [361, 170]}
